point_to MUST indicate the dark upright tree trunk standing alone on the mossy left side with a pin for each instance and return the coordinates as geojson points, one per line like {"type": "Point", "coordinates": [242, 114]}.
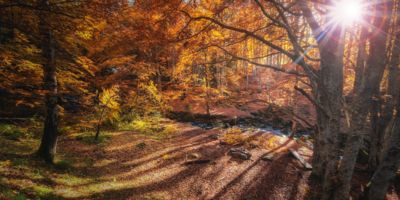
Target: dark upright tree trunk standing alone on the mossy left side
{"type": "Point", "coordinates": [48, 144]}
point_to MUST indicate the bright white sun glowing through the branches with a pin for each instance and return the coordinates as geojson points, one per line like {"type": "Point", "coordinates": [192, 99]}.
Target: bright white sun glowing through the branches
{"type": "Point", "coordinates": [347, 12]}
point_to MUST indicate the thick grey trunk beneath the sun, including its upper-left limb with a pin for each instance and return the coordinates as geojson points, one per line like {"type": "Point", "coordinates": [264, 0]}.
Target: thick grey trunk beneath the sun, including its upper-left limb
{"type": "Point", "coordinates": [327, 91]}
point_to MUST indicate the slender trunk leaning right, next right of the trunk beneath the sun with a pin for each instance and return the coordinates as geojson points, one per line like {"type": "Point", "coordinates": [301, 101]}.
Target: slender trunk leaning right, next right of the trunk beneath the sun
{"type": "Point", "coordinates": [370, 84]}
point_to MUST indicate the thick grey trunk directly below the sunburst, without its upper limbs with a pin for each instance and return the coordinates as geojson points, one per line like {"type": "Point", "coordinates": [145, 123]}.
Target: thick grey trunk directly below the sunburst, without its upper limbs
{"type": "Point", "coordinates": [330, 88]}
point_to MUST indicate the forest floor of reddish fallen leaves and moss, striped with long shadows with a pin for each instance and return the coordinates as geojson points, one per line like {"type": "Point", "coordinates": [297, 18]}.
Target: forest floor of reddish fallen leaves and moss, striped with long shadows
{"type": "Point", "coordinates": [136, 166]}
